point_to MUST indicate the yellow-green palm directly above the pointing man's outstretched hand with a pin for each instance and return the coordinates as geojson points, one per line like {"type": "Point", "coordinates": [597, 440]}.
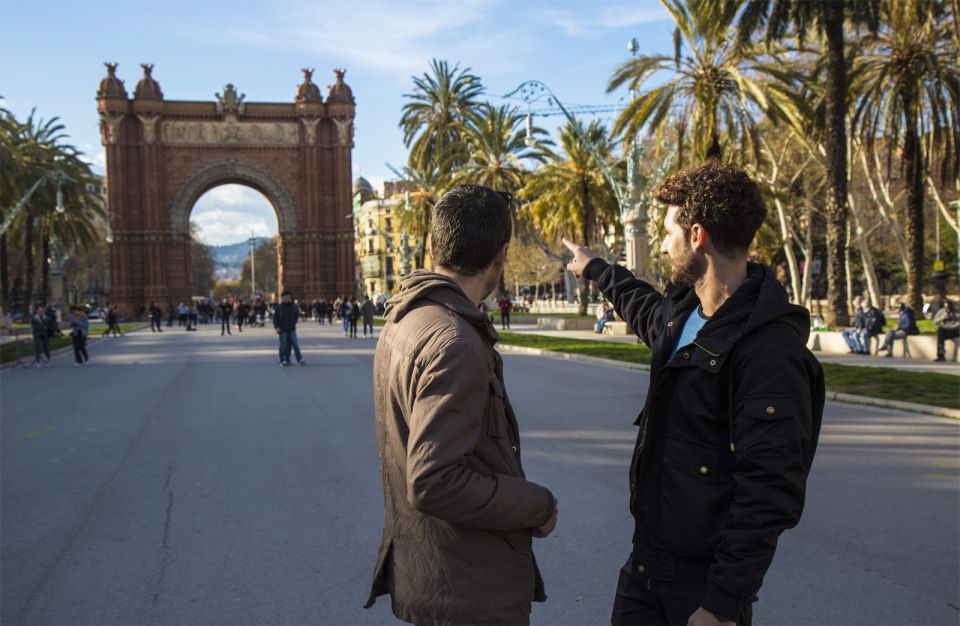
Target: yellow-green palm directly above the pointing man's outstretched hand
{"type": "Point", "coordinates": [570, 196]}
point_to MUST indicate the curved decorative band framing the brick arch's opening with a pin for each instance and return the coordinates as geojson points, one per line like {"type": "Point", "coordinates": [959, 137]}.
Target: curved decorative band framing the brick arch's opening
{"type": "Point", "coordinates": [231, 171]}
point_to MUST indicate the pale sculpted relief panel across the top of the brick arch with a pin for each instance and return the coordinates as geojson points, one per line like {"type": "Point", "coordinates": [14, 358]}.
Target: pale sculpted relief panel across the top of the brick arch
{"type": "Point", "coordinates": [230, 132]}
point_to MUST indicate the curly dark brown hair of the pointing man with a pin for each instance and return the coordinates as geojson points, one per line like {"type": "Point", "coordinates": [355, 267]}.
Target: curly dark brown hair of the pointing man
{"type": "Point", "coordinates": [721, 198]}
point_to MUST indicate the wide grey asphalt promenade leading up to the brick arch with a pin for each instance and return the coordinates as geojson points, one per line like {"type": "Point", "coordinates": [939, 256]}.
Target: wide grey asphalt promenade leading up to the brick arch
{"type": "Point", "coordinates": [186, 478]}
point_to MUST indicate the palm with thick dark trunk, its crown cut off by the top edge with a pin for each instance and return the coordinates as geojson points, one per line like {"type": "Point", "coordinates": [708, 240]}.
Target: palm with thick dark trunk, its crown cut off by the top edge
{"type": "Point", "coordinates": [827, 18]}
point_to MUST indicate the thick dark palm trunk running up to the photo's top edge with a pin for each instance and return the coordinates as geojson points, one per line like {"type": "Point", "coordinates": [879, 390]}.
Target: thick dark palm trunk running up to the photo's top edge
{"type": "Point", "coordinates": [836, 145]}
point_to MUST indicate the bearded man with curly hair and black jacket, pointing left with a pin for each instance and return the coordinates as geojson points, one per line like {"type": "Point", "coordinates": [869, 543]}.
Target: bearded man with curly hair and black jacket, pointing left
{"type": "Point", "coordinates": [732, 415]}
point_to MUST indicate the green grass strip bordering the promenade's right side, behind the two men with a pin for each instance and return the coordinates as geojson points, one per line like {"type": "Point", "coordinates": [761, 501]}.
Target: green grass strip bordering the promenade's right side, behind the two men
{"type": "Point", "coordinates": [875, 382]}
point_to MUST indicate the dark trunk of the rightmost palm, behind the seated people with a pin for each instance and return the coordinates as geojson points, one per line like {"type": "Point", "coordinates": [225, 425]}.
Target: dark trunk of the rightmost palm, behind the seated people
{"type": "Point", "coordinates": [913, 159]}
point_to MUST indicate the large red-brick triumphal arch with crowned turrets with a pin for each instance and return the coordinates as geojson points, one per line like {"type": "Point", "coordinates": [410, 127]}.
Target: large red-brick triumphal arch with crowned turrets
{"type": "Point", "coordinates": [162, 155]}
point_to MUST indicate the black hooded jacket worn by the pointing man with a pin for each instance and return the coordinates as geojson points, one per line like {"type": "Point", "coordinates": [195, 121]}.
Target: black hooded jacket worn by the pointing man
{"type": "Point", "coordinates": [727, 432]}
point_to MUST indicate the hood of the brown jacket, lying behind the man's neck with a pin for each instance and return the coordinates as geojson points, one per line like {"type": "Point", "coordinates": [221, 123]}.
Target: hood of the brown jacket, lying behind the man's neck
{"type": "Point", "coordinates": [423, 285]}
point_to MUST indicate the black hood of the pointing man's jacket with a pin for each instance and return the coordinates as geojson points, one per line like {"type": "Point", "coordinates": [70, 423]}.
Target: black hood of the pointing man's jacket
{"type": "Point", "coordinates": [759, 301]}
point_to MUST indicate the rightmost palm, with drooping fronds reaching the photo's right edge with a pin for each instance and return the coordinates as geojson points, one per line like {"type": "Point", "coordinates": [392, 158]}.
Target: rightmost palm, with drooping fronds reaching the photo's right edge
{"type": "Point", "coordinates": [908, 88]}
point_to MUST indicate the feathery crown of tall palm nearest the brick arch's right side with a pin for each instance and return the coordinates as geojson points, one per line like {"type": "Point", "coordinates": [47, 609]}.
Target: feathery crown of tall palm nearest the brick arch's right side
{"type": "Point", "coordinates": [434, 120]}
